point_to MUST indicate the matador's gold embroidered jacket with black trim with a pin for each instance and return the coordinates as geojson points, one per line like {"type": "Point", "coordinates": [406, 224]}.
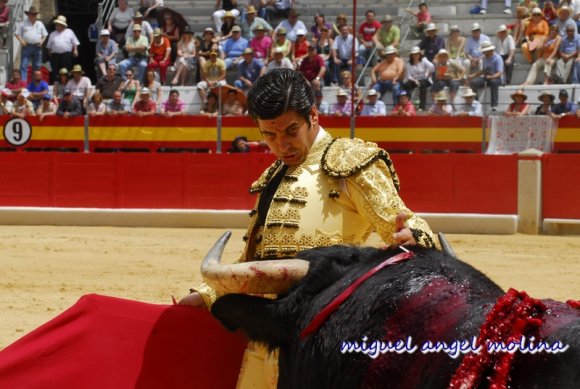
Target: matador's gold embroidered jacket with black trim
{"type": "Point", "coordinates": [344, 189]}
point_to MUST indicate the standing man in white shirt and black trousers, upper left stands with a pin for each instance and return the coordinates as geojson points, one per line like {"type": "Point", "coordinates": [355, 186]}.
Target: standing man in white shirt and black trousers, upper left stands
{"type": "Point", "coordinates": [62, 46]}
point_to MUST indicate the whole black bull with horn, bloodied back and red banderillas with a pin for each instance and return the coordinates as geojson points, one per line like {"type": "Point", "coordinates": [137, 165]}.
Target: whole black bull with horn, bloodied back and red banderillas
{"type": "Point", "coordinates": [432, 299]}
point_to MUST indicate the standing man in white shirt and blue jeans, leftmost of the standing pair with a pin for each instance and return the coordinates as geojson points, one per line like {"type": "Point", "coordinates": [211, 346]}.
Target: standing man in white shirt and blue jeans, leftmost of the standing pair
{"type": "Point", "coordinates": [31, 34]}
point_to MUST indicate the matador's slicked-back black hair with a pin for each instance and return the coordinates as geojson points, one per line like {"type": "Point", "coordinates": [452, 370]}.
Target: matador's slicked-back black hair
{"type": "Point", "coordinates": [279, 91]}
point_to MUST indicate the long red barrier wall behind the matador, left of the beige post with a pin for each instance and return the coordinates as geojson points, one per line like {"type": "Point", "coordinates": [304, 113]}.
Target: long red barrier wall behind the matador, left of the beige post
{"type": "Point", "coordinates": [430, 183]}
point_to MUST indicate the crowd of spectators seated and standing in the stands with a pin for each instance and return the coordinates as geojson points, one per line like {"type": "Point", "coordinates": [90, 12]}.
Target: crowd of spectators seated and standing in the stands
{"type": "Point", "coordinates": [145, 46]}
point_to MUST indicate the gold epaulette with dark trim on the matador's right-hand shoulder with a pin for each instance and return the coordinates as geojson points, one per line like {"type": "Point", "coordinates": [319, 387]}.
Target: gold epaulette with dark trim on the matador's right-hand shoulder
{"type": "Point", "coordinates": [344, 157]}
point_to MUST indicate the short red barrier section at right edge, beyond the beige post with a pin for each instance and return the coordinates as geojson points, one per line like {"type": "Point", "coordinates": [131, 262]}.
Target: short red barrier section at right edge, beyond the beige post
{"type": "Point", "coordinates": [561, 186]}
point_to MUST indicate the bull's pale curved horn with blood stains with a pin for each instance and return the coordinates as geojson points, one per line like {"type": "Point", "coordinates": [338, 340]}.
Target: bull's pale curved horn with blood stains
{"type": "Point", "coordinates": [262, 277]}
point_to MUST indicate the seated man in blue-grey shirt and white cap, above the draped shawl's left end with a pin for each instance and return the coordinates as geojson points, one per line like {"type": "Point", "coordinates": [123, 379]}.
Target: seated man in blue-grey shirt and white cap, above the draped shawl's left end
{"type": "Point", "coordinates": [491, 74]}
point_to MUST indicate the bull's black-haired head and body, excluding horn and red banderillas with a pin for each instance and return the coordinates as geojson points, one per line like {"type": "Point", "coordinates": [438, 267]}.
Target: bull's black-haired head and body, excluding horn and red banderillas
{"type": "Point", "coordinates": [432, 297]}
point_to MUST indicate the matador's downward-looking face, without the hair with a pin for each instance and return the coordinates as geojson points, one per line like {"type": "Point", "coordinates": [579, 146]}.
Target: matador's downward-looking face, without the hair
{"type": "Point", "coordinates": [290, 136]}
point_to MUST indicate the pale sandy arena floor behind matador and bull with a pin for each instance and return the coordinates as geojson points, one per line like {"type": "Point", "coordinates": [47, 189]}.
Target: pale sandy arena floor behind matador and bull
{"type": "Point", "coordinates": [46, 269]}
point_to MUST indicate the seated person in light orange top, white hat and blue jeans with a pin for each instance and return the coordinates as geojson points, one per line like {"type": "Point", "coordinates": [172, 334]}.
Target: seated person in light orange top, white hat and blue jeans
{"type": "Point", "coordinates": [388, 74]}
